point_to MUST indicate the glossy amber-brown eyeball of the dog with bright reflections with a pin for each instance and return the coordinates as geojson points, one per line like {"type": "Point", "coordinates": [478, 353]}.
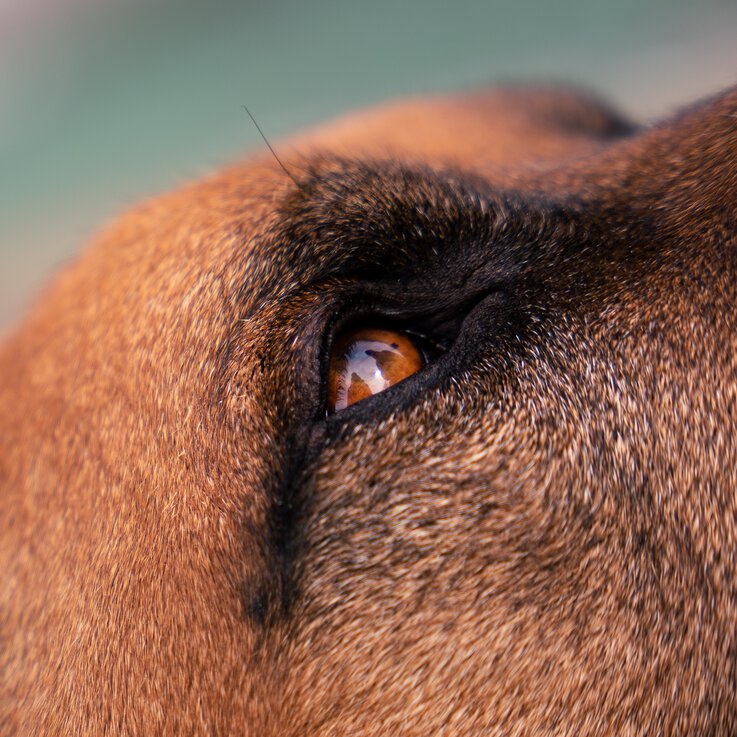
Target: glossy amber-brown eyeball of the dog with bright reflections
{"type": "Point", "coordinates": [367, 361]}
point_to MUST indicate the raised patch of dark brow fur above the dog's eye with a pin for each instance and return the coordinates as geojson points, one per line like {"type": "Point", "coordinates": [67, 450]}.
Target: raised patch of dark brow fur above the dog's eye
{"type": "Point", "coordinates": [358, 222]}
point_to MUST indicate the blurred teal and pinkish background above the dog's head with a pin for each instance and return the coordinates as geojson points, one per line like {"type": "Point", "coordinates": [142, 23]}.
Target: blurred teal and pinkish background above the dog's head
{"type": "Point", "coordinates": [104, 102]}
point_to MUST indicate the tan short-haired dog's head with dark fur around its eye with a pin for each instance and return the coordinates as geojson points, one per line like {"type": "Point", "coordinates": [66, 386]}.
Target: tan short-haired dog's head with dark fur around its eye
{"type": "Point", "coordinates": [426, 428]}
